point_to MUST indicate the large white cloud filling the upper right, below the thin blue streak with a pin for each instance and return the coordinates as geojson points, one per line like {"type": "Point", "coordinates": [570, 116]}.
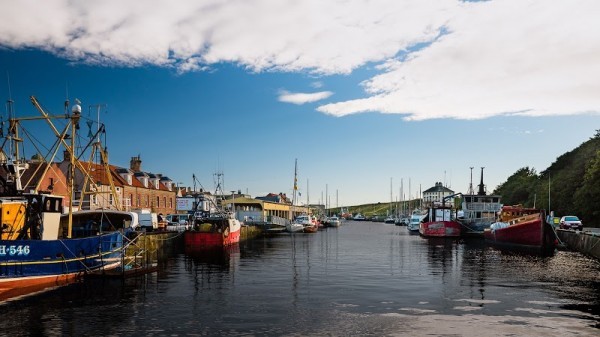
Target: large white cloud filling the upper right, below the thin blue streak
{"type": "Point", "coordinates": [499, 58]}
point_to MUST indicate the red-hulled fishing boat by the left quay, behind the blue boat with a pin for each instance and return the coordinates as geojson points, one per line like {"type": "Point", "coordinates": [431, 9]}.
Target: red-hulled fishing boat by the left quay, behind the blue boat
{"type": "Point", "coordinates": [214, 226]}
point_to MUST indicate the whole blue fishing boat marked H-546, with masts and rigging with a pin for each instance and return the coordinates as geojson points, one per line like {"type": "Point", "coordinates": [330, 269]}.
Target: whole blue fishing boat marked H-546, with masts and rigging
{"type": "Point", "coordinates": [38, 251]}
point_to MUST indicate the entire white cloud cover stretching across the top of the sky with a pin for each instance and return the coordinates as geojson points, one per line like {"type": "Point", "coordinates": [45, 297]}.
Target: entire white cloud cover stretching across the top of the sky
{"type": "Point", "coordinates": [436, 59]}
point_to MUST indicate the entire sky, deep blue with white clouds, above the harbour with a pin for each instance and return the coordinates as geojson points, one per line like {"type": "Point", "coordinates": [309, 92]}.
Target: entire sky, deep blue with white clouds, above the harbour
{"type": "Point", "coordinates": [359, 92]}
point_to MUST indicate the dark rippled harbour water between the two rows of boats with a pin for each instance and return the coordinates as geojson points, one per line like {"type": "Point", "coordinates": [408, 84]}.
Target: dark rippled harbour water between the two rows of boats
{"type": "Point", "coordinates": [360, 279]}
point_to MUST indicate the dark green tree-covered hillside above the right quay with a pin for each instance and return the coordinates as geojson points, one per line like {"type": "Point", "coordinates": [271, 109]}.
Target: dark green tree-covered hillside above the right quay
{"type": "Point", "coordinates": [570, 186]}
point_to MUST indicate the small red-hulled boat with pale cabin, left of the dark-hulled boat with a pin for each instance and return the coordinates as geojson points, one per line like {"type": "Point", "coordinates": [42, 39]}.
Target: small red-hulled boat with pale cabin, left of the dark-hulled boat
{"type": "Point", "coordinates": [440, 221]}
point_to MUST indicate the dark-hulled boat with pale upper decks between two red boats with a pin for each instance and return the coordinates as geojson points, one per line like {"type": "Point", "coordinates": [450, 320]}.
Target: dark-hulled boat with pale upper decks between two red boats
{"type": "Point", "coordinates": [478, 210]}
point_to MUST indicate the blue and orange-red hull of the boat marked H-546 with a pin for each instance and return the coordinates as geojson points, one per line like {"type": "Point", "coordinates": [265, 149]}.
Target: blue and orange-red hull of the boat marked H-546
{"type": "Point", "coordinates": [29, 266]}
